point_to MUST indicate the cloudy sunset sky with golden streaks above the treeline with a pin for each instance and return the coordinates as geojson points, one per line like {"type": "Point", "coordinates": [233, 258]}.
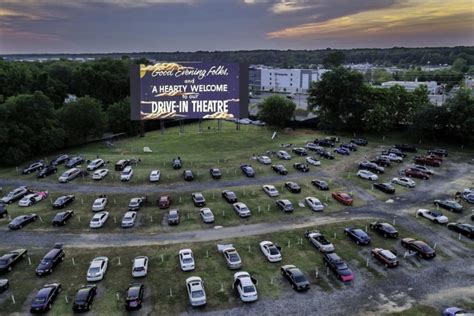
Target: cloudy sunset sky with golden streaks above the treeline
{"type": "Point", "coordinates": [104, 26]}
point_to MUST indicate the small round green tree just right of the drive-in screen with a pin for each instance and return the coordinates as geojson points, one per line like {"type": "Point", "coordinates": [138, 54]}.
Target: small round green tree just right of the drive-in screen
{"type": "Point", "coordinates": [276, 110]}
